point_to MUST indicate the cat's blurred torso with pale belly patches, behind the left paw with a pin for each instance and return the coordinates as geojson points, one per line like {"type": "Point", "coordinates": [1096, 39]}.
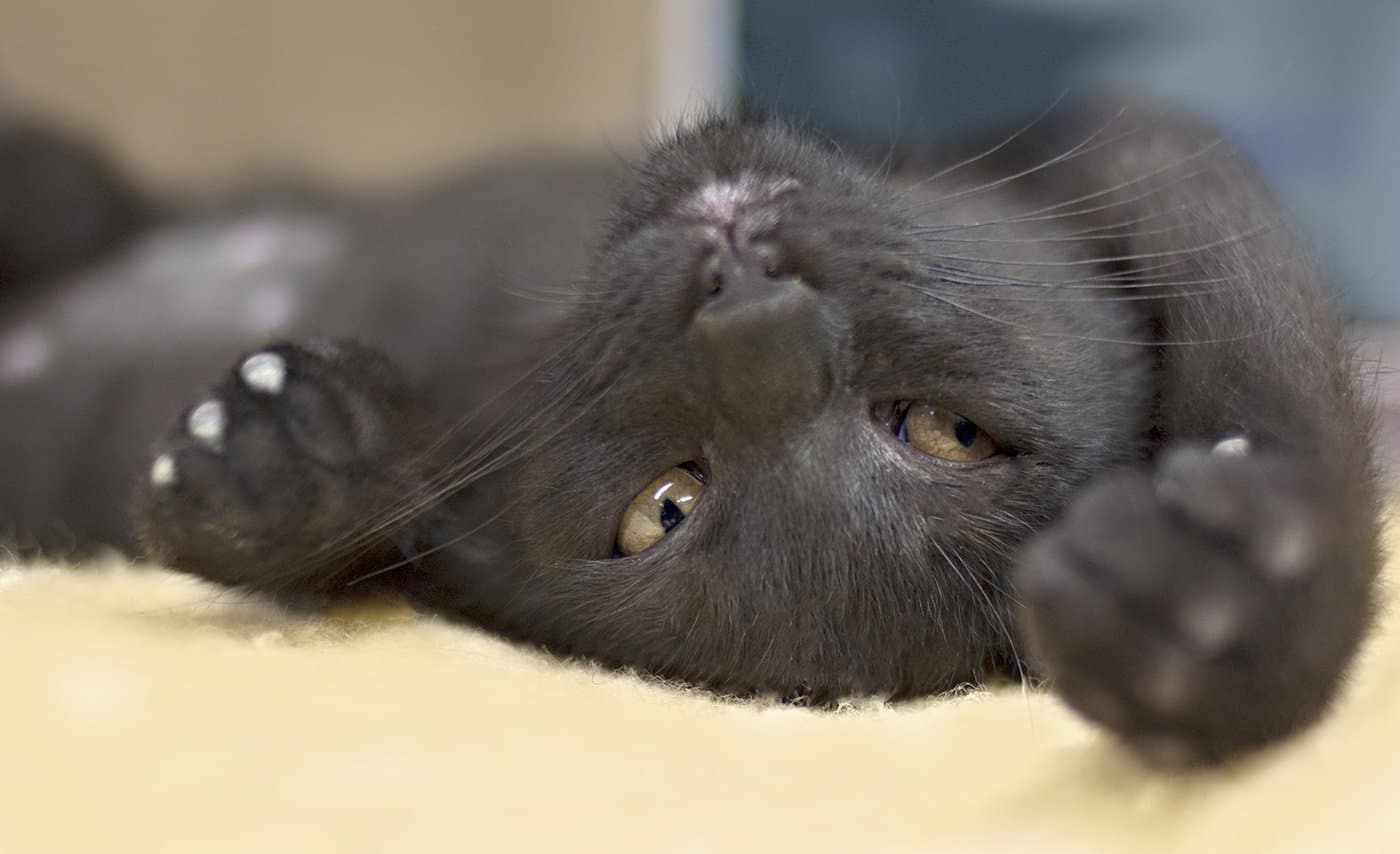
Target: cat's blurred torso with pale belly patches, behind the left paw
{"type": "Point", "coordinates": [97, 351]}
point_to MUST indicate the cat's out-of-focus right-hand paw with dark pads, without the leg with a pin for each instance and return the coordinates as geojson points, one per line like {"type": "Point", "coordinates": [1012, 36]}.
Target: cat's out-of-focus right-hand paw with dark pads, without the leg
{"type": "Point", "coordinates": [1203, 608]}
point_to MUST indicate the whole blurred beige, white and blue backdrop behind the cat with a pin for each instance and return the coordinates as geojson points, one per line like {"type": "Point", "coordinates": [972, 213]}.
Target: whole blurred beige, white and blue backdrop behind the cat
{"type": "Point", "coordinates": [197, 92]}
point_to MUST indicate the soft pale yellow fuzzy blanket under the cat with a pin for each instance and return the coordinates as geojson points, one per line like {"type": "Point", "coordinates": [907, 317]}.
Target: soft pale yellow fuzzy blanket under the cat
{"type": "Point", "coordinates": [146, 712]}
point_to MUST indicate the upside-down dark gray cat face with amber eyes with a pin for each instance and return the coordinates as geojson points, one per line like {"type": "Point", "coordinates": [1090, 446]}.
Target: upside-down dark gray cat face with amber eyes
{"type": "Point", "coordinates": [782, 447]}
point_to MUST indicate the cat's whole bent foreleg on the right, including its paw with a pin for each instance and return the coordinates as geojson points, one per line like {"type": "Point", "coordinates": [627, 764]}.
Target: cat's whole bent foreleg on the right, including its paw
{"type": "Point", "coordinates": [1212, 601]}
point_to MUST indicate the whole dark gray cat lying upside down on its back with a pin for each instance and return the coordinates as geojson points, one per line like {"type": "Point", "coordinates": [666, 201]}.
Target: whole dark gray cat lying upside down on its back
{"type": "Point", "coordinates": [771, 419]}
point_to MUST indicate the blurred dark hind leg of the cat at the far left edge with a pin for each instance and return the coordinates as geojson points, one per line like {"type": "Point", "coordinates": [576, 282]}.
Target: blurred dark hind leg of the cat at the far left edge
{"type": "Point", "coordinates": [62, 205]}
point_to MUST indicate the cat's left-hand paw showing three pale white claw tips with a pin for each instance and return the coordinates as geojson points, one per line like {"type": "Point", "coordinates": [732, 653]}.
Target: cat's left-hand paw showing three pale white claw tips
{"type": "Point", "coordinates": [274, 465]}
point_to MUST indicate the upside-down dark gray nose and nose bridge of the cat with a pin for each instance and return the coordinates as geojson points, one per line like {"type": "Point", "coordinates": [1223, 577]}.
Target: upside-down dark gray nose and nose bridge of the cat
{"type": "Point", "coordinates": [766, 346]}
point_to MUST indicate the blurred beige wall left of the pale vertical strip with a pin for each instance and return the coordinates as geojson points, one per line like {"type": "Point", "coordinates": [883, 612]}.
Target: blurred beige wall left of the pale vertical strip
{"type": "Point", "coordinates": [194, 90]}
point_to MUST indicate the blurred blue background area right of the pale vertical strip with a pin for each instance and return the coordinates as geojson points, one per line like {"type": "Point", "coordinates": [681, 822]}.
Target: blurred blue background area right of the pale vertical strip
{"type": "Point", "coordinates": [1311, 87]}
